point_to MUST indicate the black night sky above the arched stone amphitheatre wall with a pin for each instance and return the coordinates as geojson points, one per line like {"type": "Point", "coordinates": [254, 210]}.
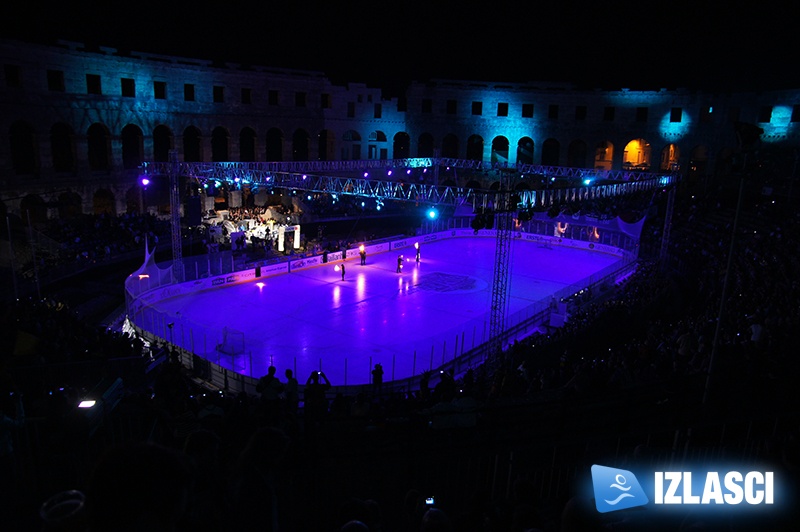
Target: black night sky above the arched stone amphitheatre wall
{"type": "Point", "coordinates": [704, 45]}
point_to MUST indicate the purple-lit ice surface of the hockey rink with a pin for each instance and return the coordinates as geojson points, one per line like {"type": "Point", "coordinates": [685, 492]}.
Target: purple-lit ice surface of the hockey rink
{"type": "Point", "coordinates": [432, 311]}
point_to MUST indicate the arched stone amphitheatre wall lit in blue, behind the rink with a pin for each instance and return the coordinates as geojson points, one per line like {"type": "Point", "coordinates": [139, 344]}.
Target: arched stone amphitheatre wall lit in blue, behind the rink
{"type": "Point", "coordinates": [79, 122]}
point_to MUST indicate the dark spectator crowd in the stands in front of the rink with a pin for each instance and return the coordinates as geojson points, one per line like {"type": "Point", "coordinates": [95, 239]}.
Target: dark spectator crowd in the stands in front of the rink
{"type": "Point", "coordinates": [503, 447]}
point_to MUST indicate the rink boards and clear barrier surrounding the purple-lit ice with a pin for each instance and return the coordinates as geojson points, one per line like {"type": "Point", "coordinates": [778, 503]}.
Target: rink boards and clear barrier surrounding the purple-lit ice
{"type": "Point", "coordinates": [452, 350]}
